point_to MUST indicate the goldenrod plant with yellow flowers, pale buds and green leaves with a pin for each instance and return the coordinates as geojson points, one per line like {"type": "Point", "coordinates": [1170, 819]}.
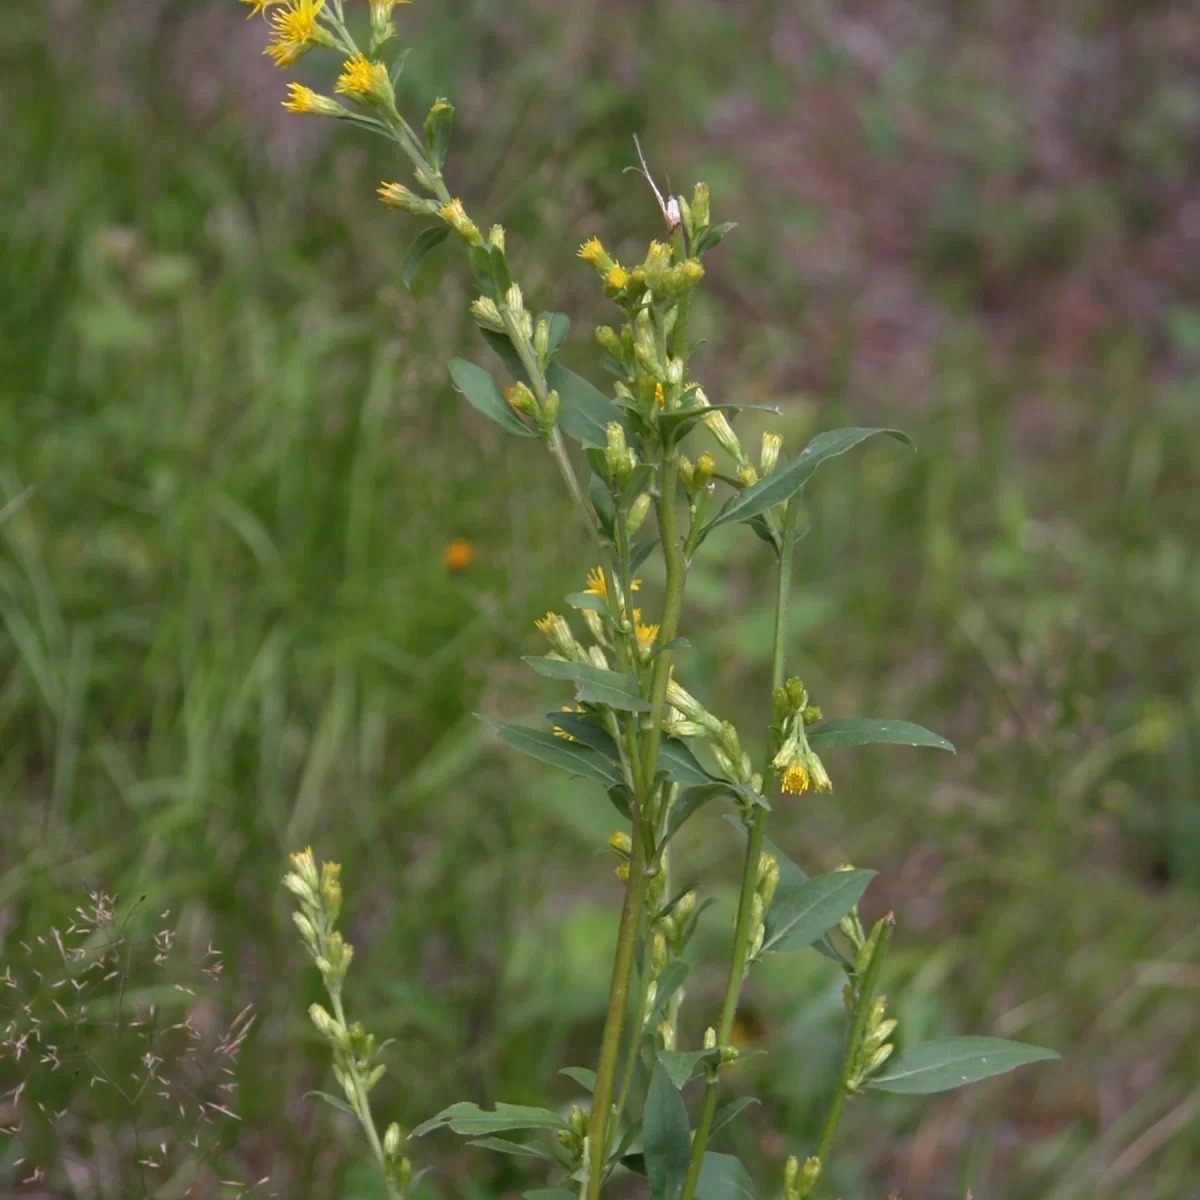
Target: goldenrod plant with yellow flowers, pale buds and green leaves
{"type": "Point", "coordinates": [634, 728]}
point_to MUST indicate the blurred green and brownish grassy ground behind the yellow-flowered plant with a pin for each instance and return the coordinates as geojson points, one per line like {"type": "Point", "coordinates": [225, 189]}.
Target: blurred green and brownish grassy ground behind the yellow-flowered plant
{"type": "Point", "coordinates": [227, 628]}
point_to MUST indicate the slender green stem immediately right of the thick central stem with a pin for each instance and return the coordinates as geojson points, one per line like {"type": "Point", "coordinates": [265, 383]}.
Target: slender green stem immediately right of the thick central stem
{"type": "Point", "coordinates": [749, 868]}
